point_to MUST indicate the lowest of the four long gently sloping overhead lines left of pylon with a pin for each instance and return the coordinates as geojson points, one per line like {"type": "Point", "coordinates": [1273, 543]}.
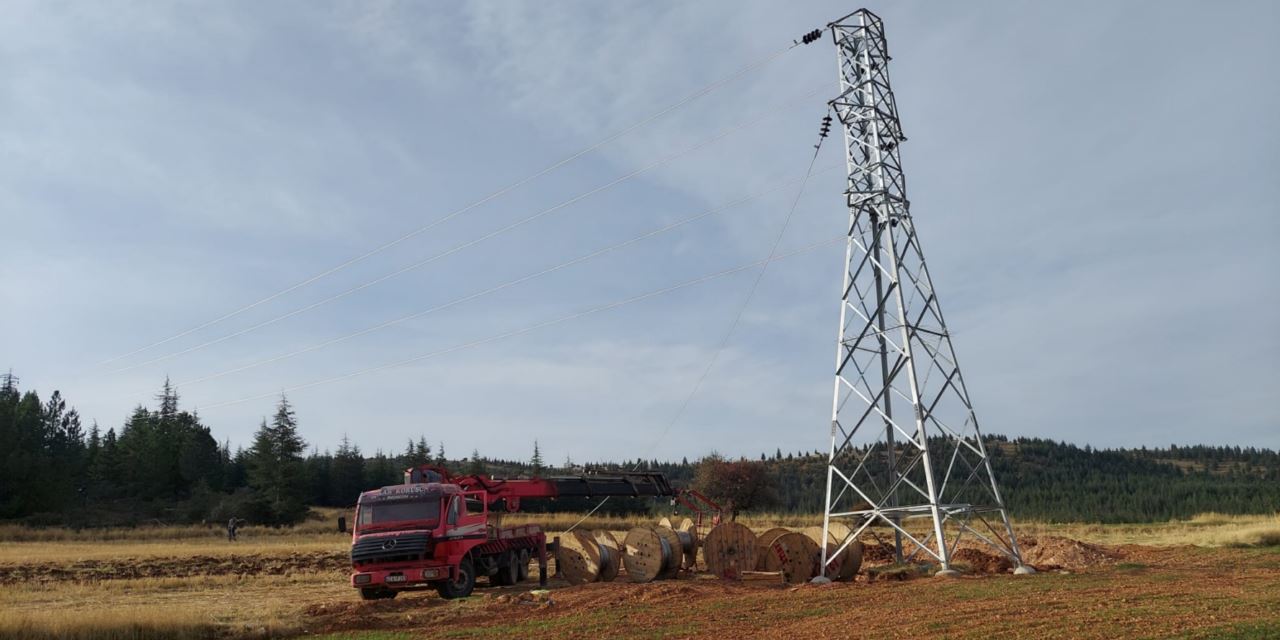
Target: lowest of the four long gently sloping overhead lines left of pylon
{"type": "Point", "coordinates": [531, 328]}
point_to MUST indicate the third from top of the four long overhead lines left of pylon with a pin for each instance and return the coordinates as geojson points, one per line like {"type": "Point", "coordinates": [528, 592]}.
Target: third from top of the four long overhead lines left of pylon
{"type": "Point", "coordinates": [499, 287]}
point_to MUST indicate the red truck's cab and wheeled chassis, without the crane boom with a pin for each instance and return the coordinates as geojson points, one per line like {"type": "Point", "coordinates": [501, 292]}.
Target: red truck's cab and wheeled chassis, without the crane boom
{"type": "Point", "coordinates": [433, 536]}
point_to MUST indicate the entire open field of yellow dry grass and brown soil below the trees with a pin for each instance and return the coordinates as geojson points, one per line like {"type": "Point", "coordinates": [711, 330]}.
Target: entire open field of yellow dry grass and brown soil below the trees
{"type": "Point", "coordinates": [1212, 577]}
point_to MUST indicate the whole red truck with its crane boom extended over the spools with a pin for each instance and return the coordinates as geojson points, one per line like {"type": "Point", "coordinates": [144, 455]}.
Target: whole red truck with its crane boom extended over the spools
{"type": "Point", "coordinates": [441, 532]}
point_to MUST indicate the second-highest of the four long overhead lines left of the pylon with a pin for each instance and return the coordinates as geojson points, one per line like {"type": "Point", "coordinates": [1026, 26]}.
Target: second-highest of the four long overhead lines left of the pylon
{"type": "Point", "coordinates": [473, 243]}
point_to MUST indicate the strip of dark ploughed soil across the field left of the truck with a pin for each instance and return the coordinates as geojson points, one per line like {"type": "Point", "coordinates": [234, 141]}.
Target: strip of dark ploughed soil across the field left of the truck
{"type": "Point", "coordinates": [129, 569]}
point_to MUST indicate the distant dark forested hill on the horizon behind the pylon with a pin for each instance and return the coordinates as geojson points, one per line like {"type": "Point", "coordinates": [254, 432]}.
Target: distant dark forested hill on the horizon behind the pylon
{"type": "Point", "coordinates": [1063, 483]}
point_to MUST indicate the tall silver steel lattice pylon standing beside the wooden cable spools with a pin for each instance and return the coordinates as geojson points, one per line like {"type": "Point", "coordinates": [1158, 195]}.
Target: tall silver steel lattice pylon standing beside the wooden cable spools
{"type": "Point", "coordinates": [907, 456]}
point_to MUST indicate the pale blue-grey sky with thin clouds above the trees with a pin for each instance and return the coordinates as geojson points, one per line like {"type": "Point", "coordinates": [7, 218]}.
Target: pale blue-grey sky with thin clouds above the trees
{"type": "Point", "coordinates": [1095, 186]}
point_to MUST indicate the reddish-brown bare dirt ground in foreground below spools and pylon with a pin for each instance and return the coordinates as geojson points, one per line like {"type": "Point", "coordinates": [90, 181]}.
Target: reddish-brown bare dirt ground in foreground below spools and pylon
{"type": "Point", "coordinates": [1082, 592]}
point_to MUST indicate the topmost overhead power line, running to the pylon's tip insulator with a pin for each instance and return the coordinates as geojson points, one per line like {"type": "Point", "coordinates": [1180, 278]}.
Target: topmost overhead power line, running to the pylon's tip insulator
{"type": "Point", "coordinates": [492, 196]}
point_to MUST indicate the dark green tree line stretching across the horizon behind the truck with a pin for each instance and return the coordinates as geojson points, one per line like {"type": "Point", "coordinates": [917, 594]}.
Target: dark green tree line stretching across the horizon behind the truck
{"type": "Point", "coordinates": [164, 465]}
